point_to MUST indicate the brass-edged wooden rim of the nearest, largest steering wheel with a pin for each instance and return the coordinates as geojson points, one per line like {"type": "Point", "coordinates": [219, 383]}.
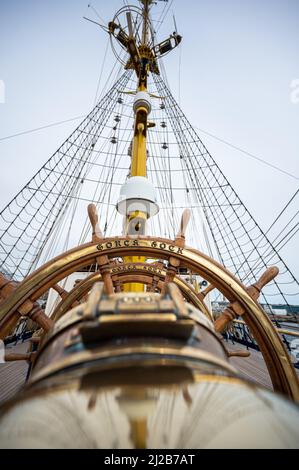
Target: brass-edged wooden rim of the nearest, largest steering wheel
{"type": "Point", "coordinates": [281, 371]}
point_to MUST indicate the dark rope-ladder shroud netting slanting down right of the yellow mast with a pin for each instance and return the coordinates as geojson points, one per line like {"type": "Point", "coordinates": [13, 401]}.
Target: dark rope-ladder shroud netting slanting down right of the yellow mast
{"type": "Point", "coordinates": [224, 224]}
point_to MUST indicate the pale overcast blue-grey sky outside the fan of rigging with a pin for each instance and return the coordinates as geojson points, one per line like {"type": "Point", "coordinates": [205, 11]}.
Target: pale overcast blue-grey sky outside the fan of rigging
{"type": "Point", "coordinates": [238, 60]}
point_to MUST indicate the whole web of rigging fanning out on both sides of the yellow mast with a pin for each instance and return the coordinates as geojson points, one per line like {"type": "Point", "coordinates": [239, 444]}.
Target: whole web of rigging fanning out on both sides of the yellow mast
{"type": "Point", "coordinates": [94, 162]}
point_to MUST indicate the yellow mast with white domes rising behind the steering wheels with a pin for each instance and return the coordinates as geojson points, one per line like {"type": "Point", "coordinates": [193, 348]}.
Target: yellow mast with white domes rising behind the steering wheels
{"type": "Point", "coordinates": [138, 198]}
